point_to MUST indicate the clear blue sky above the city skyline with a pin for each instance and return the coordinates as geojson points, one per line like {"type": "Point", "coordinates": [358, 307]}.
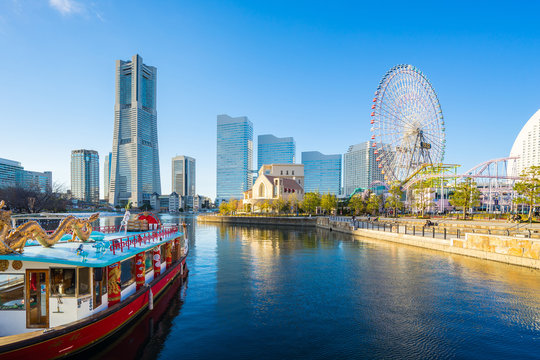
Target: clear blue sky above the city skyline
{"type": "Point", "coordinates": [306, 69]}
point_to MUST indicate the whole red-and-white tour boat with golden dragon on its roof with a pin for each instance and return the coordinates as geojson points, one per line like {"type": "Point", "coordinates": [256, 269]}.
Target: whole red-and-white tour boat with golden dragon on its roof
{"type": "Point", "coordinates": [67, 295]}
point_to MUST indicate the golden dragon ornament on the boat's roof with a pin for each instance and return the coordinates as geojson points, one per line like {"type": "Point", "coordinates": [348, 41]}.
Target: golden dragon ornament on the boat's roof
{"type": "Point", "coordinates": [13, 240]}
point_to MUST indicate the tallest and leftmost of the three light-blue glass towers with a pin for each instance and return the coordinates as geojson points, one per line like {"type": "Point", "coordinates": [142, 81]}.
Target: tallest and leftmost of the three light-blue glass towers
{"type": "Point", "coordinates": [234, 157]}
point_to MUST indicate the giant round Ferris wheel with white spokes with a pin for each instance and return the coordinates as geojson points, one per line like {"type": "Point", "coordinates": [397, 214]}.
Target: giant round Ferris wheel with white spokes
{"type": "Point", "coordinates": [407, 123]}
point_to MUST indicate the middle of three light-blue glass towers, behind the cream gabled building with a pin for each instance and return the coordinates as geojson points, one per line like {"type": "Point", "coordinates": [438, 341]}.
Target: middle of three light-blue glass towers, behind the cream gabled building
{"type": "Point", "coordinates": [274, 150]}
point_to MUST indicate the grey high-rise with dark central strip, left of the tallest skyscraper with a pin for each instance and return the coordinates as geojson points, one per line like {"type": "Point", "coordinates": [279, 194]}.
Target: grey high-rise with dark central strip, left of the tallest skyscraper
{"type": "Point", "coordinates": [85, 175]}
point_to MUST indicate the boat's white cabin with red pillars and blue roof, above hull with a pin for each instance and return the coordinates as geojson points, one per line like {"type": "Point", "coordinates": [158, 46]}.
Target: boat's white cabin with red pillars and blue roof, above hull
{"type": "Point", "coordinates": [46, 287]}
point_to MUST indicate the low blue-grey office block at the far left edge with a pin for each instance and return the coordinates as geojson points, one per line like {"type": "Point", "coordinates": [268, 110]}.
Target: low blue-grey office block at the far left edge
{"type": "Point", "coordinates": [12, 174]}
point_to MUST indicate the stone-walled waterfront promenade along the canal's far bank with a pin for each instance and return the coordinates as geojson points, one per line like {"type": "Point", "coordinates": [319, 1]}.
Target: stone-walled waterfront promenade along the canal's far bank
{"type": "Point", "coordinates": [502, 242]}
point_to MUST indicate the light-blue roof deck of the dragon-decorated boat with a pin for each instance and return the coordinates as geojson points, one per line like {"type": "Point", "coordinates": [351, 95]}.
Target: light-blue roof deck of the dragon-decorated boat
{"type": "Point", "coordinates": [65, 253]}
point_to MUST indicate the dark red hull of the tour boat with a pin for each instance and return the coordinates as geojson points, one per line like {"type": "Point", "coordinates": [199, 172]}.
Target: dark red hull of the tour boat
{"type": "Point", "coordinates": [66, 340]}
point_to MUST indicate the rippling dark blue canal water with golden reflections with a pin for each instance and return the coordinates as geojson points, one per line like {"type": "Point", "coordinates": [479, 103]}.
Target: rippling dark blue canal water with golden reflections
{"type": "Point", "coordinates": [288, 293]}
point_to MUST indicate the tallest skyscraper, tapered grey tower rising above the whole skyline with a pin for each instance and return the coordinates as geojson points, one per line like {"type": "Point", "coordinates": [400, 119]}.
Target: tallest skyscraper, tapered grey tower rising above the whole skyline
{"type": "Point", "coordinates": [135, 159]}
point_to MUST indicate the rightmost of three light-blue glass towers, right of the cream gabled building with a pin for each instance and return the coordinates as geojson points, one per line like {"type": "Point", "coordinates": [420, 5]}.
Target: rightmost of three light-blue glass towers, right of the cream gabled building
{"type": "Point", "coordinates": [322, 172]}
